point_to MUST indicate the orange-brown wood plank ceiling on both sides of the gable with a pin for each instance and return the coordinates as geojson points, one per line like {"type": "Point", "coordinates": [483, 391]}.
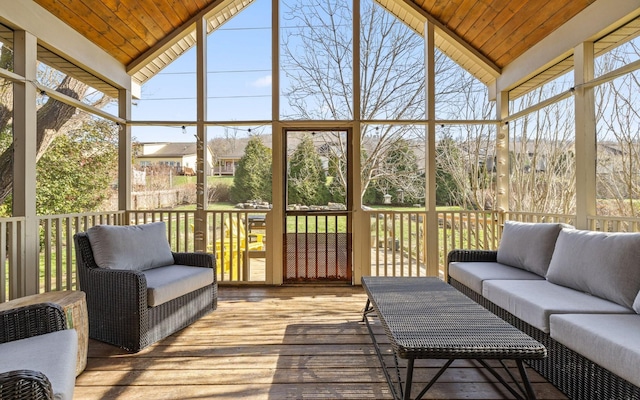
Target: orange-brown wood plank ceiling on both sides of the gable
{"type": "Point", "coordinates": [497, 30]}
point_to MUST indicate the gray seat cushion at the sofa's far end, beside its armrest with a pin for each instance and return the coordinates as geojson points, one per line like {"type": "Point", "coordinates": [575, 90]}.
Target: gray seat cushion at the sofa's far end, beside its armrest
{"type": "Point", "coordinates": [472, 274]}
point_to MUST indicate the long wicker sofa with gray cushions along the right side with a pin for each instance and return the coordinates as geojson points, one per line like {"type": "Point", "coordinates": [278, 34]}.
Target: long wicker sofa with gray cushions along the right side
{"type": "Point", "coordinates": [575, 291]}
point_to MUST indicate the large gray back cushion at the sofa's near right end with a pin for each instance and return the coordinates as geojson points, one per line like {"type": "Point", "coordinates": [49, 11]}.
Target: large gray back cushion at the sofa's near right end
{"type": "Point", "coordinates": [603, 264]}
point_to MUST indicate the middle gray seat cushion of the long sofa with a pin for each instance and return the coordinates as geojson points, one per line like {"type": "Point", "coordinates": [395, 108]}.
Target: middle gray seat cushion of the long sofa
{"type": "Point", "coordinates": [533, 301]}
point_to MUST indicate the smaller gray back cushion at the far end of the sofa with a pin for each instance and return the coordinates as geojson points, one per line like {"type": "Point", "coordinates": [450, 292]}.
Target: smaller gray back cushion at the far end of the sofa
{"type": "Point", "coordinates": [528, 245]}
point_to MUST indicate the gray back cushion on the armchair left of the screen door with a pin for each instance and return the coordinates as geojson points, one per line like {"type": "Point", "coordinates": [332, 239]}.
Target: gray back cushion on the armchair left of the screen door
{"type": "Point", "coordinates": [137, 247]}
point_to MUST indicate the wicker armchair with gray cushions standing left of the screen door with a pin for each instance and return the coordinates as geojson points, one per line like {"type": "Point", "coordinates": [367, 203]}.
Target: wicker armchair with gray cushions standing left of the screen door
{"type": "Point", "coordinates": [138, 290]}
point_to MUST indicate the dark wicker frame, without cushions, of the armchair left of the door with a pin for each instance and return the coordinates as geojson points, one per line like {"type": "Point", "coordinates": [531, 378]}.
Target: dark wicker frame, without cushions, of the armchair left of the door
{"type": "Point", "coordinates": [117, 302]}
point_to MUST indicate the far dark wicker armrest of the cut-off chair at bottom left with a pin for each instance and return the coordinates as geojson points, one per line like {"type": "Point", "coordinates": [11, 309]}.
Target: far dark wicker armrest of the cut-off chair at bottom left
{"type": "Point", "coordinates": [32, 320]}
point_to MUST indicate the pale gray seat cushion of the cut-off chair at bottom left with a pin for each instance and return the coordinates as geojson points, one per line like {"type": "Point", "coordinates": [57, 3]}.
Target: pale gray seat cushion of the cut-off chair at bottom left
{"type": "Point", "coordinates": [54, 354]}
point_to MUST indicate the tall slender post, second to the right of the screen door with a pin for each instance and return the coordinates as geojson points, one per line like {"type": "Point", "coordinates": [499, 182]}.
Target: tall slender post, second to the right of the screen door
{"type": "Point", "coordinates": [432, 242]}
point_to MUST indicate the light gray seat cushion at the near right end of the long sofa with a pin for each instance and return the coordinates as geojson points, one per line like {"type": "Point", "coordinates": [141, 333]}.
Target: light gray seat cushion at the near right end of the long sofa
{"type": "Point", "coordinates": [612, 341]}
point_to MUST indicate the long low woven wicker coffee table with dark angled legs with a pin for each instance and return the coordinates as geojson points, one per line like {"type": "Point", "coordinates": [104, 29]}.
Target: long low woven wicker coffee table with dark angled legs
{"type": "Point", "coordinates": [425, 318]}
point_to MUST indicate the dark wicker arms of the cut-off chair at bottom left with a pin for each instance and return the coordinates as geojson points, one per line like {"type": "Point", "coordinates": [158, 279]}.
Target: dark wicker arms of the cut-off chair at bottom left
{"type": "Point", "coordinates": [23, 323]}
